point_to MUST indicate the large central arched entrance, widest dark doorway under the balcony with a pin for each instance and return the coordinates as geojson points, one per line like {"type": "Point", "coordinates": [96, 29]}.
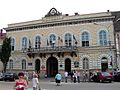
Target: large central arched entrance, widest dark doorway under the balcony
{"type": "Point", "coordinates": [52, 67]}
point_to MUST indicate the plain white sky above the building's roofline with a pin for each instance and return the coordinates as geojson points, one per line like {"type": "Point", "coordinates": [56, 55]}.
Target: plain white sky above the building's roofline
{"type": "Point", "coordinates": [15, 11]}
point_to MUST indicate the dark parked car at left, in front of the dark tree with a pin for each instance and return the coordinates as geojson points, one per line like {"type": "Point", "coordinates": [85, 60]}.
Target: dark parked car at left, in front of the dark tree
{"type": "Point", "coordinates": [10, 76]}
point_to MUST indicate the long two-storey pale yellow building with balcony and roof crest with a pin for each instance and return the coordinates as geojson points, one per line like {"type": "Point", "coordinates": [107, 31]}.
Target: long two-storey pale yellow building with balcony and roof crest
{"type": "Point", "coordinates": [58, 43]}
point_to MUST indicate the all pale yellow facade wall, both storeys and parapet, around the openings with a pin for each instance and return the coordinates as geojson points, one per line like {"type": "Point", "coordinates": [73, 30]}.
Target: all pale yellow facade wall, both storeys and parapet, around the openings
{"type": "Point", "coordinates": [75, 29]}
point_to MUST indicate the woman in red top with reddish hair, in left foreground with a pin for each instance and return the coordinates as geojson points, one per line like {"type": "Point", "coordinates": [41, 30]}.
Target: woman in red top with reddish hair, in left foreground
{"type": "Point", "coordinates": [21, 83]}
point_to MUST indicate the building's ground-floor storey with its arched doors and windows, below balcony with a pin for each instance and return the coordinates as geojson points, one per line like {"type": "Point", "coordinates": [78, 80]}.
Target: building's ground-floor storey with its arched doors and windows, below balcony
{"type": "Point", "coordinates": [50, 64]}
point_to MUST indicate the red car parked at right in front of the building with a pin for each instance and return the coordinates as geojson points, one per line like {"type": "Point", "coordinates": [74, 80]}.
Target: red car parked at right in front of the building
{"type": "Point", "coordinates": [102, 77]}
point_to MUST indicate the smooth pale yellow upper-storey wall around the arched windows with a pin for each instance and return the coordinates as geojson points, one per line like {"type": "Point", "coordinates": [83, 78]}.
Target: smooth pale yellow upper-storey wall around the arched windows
{"type": "Point", "coordinates": [75, 30]}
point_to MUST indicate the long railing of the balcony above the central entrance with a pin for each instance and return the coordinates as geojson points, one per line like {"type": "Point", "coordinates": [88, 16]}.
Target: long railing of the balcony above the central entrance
{"type": "Point", "coordinates": [51, 49]}
